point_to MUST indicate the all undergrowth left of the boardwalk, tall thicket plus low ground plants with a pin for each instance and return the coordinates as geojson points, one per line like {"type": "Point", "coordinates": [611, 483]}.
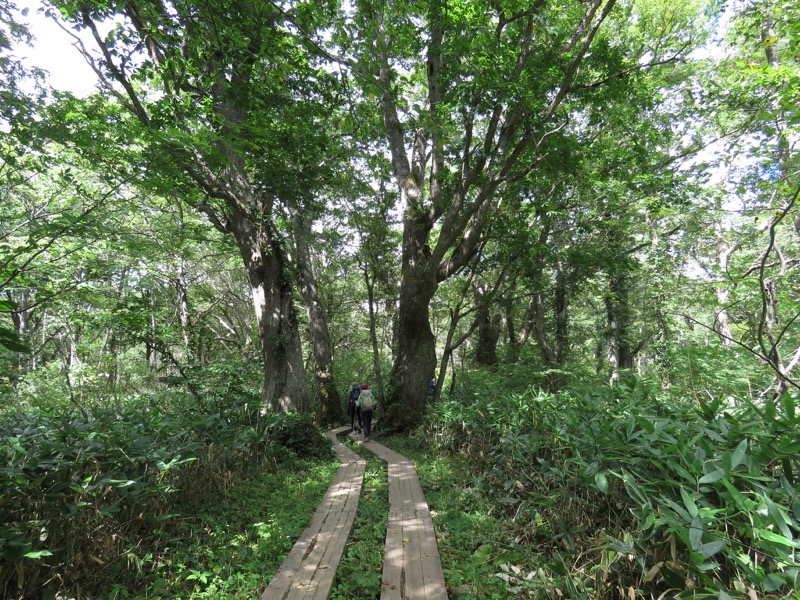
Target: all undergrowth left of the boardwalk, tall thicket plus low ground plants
{"type": "Point", "coordinates": [157, 500]}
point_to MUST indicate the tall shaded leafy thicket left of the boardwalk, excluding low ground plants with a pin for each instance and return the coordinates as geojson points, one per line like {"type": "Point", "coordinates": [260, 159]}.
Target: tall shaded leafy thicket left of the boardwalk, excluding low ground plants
{"type": "Point", "coordinates": [84, 490]}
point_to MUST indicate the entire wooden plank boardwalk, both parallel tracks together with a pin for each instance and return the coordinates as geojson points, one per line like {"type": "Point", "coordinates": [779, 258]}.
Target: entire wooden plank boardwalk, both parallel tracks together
{"type": "Point", "coordinates": [412, 569]}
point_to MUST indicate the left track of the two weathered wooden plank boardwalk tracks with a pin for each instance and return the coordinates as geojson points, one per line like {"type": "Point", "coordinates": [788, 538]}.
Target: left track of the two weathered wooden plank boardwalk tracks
{"type": "Point", "coordinates": [309, 569]}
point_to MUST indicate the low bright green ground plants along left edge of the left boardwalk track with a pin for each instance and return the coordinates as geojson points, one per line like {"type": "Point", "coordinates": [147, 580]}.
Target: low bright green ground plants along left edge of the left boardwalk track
{"type": "Point", "coordinates": [231, 547]}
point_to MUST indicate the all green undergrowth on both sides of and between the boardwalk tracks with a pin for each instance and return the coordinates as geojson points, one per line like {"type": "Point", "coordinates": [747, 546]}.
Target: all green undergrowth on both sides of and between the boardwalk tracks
{"type": "Point", "coordinates": [600, 492]}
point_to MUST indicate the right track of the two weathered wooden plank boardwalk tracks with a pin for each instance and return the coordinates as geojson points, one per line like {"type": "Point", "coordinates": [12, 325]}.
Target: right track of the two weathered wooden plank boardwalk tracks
{"type": "Point", "coordinates": [412, 569]}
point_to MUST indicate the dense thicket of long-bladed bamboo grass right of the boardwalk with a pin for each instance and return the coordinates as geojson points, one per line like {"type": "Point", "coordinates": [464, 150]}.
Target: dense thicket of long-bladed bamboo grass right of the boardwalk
{"type": "Point", "coordinates": [626, 489]}
